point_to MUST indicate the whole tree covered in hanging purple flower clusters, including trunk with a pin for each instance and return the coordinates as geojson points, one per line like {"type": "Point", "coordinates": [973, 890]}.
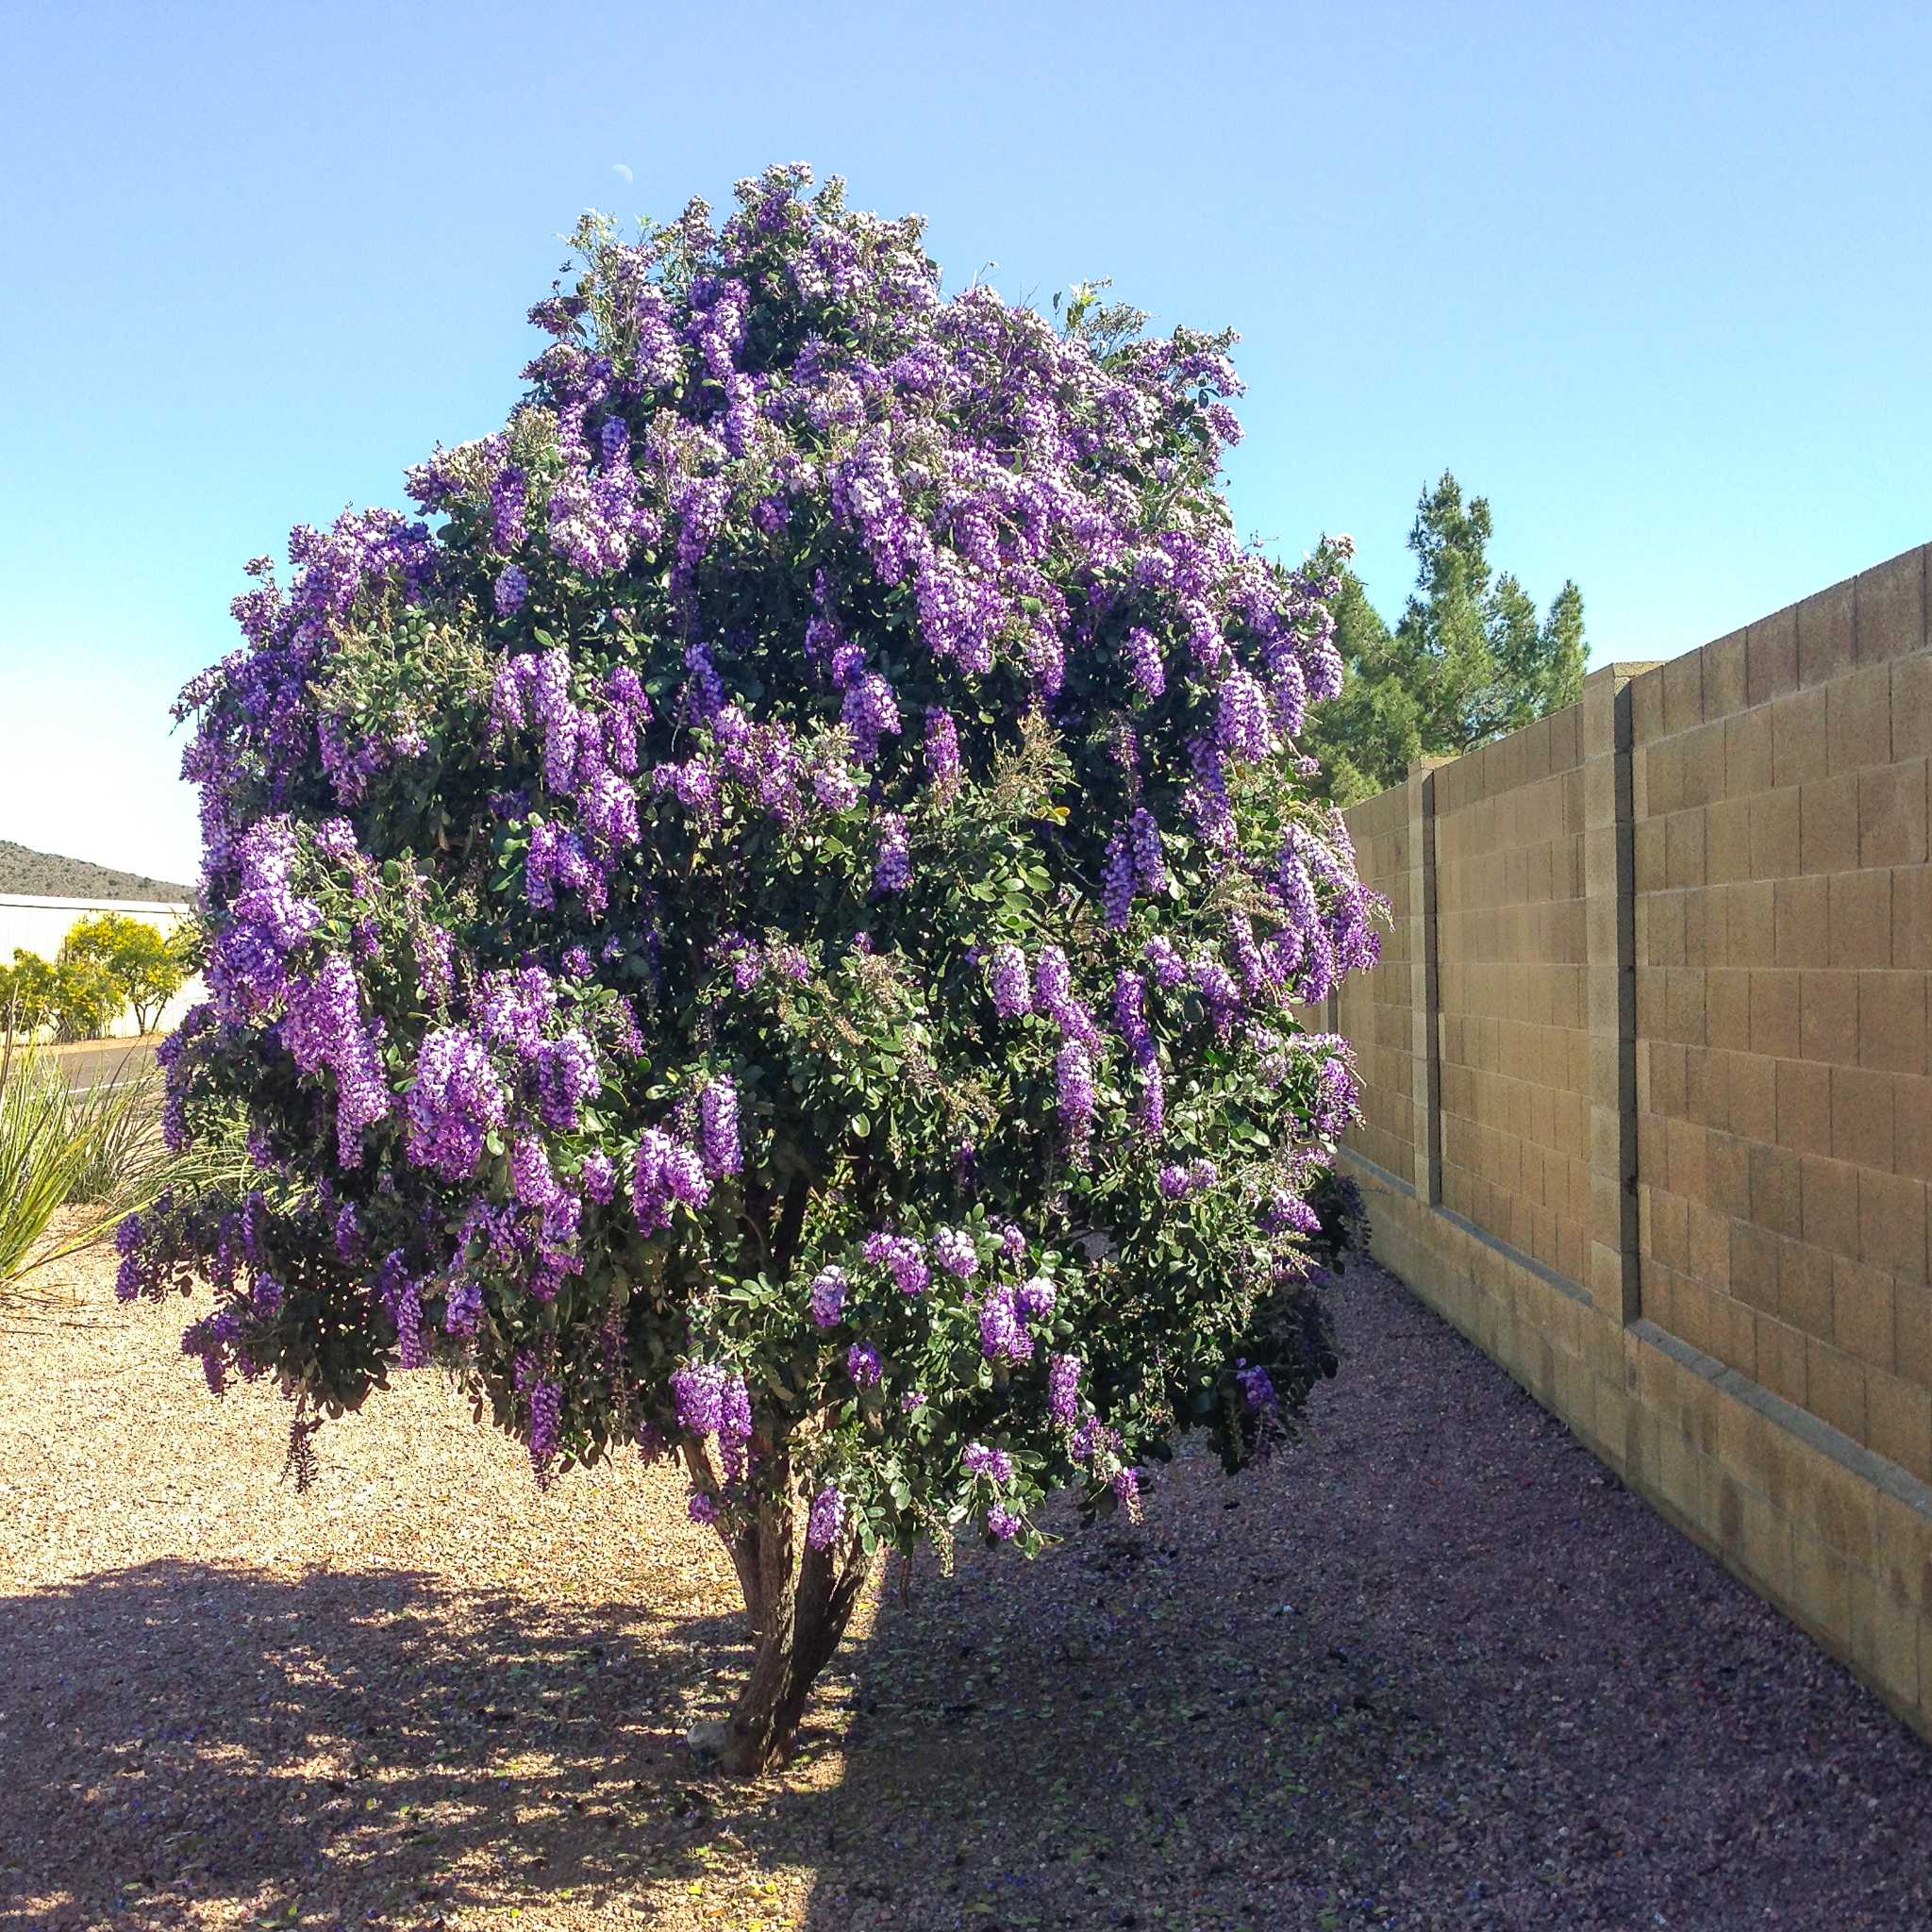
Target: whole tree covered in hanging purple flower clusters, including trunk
{"type": "Point", "coordinates": [764, 928]}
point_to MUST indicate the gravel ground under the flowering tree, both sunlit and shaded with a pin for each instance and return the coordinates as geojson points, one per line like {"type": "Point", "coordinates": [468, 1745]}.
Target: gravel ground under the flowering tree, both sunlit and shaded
{"type": "Point", "coordinates": [1431, 1670]}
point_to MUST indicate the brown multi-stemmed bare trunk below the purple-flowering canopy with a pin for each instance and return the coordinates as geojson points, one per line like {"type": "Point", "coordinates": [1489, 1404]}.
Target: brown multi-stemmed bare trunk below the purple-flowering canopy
{"type": "Point", "coordinates": [799, 1608]}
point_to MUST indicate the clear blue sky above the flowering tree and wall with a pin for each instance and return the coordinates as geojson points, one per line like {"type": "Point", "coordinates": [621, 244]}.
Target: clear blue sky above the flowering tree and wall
{"type": "Point", "coordinates": [1657, 281]}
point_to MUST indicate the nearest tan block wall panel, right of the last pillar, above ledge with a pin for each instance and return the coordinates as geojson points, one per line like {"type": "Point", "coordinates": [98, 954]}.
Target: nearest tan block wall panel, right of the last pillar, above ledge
{"type": "Point", "coordinates": [1782, 996]}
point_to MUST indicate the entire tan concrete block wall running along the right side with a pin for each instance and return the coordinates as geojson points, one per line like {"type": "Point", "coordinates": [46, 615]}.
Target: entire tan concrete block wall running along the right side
{"type": "Point", "coordinates": [1651, 1091]}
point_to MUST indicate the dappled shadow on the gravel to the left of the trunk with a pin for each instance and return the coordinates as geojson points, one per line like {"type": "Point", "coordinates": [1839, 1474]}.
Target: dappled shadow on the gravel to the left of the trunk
{"type": "Point", "coordinates": [347, 1747]}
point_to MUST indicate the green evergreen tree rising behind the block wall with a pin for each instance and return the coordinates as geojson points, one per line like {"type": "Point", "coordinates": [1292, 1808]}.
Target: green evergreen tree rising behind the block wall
{"type": "Point", "coordinates": [1467, 662]}
